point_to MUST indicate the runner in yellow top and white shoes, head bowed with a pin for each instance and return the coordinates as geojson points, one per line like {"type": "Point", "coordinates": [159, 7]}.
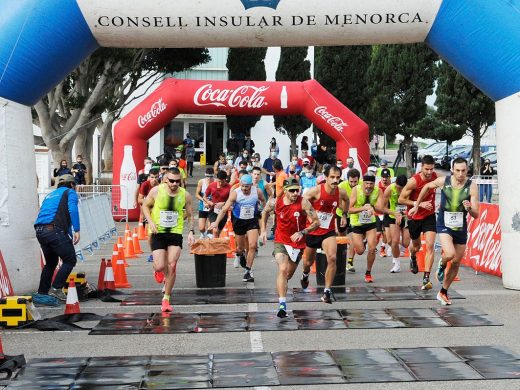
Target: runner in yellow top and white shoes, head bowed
{"type": "Point", "coordinates": [395, 220]}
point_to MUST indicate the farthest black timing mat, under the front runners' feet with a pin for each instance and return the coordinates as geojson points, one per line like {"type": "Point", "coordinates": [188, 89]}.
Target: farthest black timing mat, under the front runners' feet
{"type": "Point", "coordinates": [262, 295]}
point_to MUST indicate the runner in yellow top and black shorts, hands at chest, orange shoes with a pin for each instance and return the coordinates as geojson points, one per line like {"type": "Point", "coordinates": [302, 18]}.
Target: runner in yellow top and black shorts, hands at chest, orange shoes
{"type": "Point", "coordinates": [365, 201]}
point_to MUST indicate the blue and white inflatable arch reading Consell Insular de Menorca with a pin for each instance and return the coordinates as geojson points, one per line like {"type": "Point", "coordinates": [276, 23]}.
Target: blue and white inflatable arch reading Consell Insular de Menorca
{"type": "Point", "coordinates": [43, 40]}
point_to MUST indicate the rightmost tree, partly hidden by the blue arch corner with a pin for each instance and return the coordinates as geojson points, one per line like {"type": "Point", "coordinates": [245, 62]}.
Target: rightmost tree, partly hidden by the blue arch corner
{"type": "Point", "coordinates": [461, 103]}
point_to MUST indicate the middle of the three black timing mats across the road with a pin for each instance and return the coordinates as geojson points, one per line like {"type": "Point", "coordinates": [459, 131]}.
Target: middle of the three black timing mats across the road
{"type": "Point", "coordinates": [161, 323]}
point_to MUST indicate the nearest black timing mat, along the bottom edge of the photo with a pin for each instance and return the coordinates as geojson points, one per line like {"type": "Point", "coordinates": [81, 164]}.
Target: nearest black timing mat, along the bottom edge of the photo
{"type": "Point", "coordinates": [270, 369]}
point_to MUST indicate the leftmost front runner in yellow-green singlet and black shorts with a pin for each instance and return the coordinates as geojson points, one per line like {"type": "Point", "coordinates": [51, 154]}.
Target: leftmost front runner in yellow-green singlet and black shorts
{"type": "Point", "coordinates": [165, 208]}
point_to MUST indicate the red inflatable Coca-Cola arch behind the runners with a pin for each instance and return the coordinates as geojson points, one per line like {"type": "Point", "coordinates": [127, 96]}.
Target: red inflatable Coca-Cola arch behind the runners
{"type": "Point", "coordinates": [174, 97]}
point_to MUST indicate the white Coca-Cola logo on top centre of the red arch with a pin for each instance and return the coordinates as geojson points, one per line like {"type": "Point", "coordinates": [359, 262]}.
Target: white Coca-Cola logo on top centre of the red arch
{"type": "Point", "coordinates": [245, 96]}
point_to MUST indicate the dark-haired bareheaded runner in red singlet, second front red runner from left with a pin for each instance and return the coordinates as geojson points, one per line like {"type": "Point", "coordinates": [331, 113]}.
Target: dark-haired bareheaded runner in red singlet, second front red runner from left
{"type": "Point", "coordinates": [325, 199]}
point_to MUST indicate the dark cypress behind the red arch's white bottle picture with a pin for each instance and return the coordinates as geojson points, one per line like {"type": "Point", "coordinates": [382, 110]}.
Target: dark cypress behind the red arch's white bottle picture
{"type": "Point", "coordinates": [292, 66]}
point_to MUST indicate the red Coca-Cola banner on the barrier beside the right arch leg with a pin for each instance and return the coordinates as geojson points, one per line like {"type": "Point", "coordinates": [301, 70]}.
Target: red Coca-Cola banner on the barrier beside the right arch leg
{"type": "Point", "coordinates": [483, 252]}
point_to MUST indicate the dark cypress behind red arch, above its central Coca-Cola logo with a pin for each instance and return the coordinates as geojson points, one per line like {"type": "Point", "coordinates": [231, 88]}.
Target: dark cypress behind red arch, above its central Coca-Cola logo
{"type": "Point", "coordinates": [245, 64]}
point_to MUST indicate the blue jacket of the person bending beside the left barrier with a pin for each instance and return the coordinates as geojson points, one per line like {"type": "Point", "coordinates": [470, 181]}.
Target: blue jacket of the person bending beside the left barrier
{"type": "Point", "coordinates": [60, 208]}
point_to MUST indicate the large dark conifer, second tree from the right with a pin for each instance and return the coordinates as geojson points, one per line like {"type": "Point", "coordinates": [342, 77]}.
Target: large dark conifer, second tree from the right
{"type": "Point", "coordinates": [400, 77]}
